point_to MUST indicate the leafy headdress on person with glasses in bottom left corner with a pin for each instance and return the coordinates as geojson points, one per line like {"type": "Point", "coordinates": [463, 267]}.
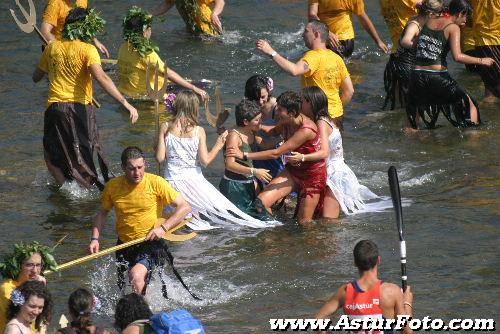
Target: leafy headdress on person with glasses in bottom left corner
{"type": "Point", "coordinates": [10, 267]}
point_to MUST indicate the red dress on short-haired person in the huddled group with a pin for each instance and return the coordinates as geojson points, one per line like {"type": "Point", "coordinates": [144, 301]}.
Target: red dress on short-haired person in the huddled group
{"type": "Point", "coordinates": [310, 176]}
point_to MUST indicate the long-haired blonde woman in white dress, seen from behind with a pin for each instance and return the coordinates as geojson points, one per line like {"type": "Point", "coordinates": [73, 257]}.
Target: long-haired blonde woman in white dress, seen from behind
{"type": "Point", "coordinates": [183, 144]}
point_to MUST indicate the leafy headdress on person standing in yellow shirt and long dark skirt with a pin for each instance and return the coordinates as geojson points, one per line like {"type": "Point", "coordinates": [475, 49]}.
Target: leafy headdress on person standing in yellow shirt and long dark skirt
{"type": "Point", "coordinates": [83, 29]}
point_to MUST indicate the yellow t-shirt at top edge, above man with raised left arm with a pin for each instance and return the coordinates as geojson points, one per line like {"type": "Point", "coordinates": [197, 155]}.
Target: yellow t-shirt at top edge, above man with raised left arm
{"type": "Point", "coordinates": [337, 14]}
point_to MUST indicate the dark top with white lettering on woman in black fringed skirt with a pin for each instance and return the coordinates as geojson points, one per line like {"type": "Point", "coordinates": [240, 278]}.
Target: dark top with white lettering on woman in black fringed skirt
{"type": "Point", "coordinates": [432, 47]}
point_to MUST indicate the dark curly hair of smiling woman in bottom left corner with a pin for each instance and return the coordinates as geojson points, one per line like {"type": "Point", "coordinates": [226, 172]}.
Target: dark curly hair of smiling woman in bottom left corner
{"type": "Point", "coordinates": [38, 289]}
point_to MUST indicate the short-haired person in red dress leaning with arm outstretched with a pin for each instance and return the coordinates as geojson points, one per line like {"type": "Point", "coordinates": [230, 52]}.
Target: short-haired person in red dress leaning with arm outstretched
{"type": "Point", "coordinates": [308, 178]}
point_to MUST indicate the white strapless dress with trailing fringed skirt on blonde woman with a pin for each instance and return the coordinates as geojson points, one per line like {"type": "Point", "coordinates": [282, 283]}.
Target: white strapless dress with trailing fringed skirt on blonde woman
{"type": "Point", "coordinates": [183, 171]}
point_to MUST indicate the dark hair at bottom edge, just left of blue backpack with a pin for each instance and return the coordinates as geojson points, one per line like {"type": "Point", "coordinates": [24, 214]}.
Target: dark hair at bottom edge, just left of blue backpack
{"type": "Point", "coordinates": [130, 308]}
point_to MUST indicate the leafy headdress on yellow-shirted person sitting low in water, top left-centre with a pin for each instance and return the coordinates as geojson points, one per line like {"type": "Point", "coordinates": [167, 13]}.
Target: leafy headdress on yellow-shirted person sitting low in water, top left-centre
{"type": "Point", "coordinates": [135, 23]}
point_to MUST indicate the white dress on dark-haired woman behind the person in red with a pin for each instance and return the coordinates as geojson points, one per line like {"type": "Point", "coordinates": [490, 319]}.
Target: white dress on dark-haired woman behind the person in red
{"type": "Point", "coordinates": [343, 182]}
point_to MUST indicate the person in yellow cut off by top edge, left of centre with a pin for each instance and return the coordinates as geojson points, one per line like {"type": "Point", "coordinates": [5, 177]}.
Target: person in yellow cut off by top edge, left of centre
{"type": "Point", "coordinates": [205, 21]}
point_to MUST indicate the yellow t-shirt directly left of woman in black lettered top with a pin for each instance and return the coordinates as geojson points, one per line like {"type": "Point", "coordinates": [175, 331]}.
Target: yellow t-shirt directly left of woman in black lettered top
{"type": "Point", "coordinates": [396, 14]}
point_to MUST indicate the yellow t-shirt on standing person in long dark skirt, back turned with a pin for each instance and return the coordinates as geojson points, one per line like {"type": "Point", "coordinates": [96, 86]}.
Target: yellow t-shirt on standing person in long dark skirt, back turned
{"type": "Point", "coordinates": [68, 65]}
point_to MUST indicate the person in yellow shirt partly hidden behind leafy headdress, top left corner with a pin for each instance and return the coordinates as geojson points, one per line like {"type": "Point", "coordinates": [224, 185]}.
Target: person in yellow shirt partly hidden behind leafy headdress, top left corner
{"type": "Point", "coordinates": [54, 17]}
